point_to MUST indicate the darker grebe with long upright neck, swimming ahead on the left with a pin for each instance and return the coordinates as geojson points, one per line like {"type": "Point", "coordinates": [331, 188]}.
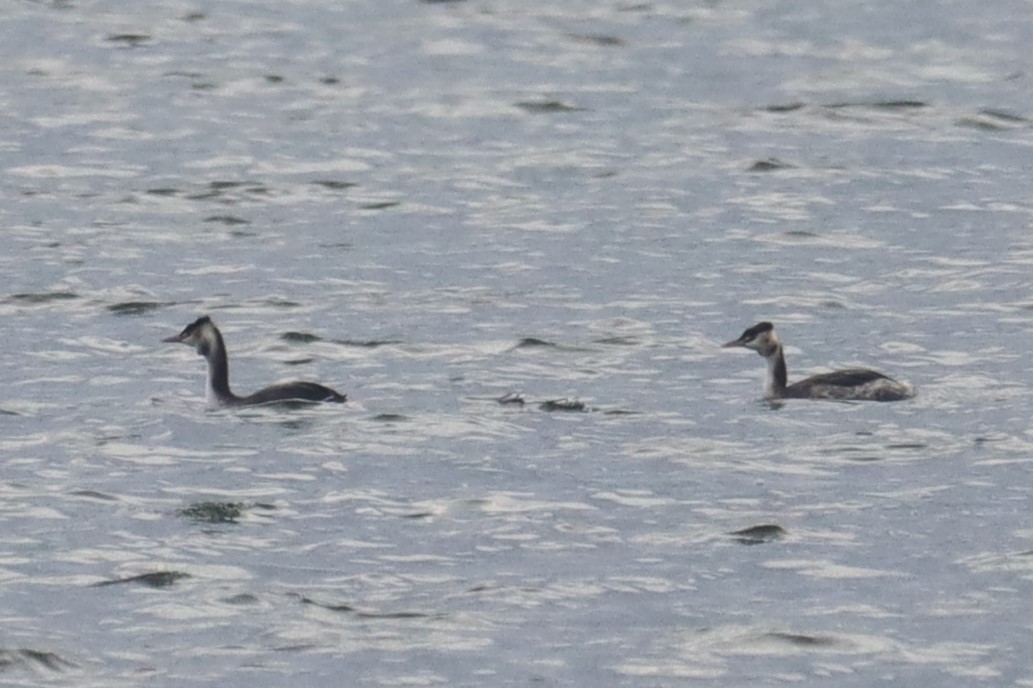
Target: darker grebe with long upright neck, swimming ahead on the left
{"type": "Point", "coordinates": [203, 335]}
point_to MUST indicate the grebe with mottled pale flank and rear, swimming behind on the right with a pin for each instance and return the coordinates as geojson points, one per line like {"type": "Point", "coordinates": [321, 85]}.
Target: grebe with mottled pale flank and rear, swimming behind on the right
{"type": "Point", "coordinates": [853, 384]}
